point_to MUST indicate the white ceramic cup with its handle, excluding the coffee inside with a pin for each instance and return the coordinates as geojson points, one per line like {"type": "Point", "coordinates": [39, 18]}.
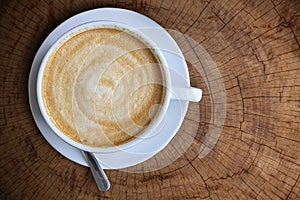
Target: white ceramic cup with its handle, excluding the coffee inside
{"type": "Point", "coordinates": [186, 93]}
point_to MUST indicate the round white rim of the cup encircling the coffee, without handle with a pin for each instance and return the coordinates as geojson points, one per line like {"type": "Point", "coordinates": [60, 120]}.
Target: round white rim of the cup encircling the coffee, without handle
{"type": "Point", "coordinates": [141, 33]}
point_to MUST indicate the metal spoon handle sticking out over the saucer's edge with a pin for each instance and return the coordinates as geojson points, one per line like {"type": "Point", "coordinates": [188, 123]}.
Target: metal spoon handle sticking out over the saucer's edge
{"type": "Point", "coordinates": [99, 175]}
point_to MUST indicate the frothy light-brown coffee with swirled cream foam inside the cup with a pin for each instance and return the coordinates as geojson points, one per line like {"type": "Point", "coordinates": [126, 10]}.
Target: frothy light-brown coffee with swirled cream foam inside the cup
{"type": "Point", "coordinates": [103, 87]}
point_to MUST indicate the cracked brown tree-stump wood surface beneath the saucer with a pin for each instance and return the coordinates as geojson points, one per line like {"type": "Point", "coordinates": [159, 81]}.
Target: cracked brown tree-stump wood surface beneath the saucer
{"type": "Point", "coordinates": [255, 54]}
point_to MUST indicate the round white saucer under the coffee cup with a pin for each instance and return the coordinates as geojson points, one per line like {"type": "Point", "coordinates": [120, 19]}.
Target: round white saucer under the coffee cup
{"type": "Point", "coordinates": [175, 112]}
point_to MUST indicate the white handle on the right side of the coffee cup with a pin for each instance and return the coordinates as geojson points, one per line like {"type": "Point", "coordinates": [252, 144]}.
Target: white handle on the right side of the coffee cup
{"type": "Point", "coordinates": [188, 94]}
